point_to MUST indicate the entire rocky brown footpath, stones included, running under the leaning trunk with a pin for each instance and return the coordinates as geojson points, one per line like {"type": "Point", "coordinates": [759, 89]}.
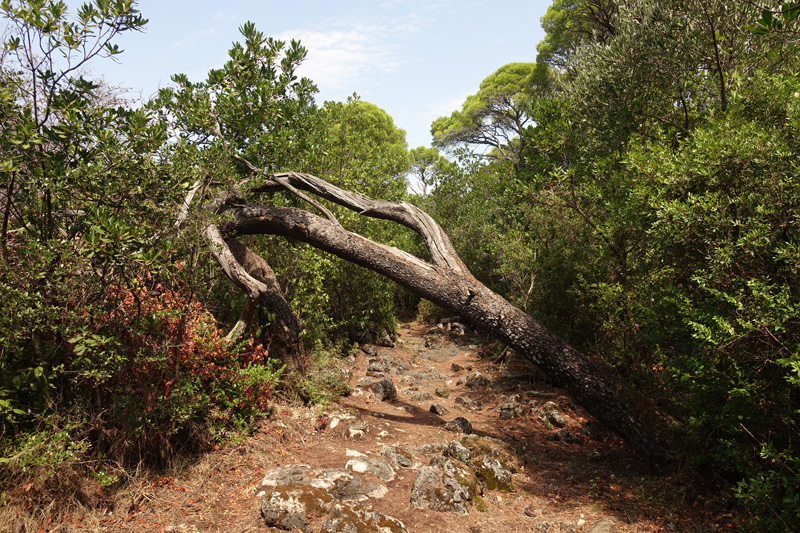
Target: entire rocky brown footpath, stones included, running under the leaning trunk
{"type": "Point", "coordinates": [434, 438]}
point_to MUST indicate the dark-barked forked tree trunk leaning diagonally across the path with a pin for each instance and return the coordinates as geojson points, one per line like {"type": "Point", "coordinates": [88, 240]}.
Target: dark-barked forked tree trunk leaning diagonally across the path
{"type": "Point", "coordinates": [447, 282]}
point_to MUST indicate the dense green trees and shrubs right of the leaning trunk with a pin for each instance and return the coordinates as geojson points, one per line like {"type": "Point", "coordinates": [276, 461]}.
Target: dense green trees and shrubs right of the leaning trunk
{"type": "Point", "coordinates": [653, 222]}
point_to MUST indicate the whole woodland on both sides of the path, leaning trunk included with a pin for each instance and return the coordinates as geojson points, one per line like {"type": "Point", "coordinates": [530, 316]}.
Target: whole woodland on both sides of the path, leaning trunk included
{"type": "Point", "coordinates": [633, 190]}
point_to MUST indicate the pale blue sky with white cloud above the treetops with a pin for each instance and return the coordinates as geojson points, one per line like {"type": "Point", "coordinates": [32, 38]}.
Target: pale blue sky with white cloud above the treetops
{"type": "Point", "coordinates": [417, 59]}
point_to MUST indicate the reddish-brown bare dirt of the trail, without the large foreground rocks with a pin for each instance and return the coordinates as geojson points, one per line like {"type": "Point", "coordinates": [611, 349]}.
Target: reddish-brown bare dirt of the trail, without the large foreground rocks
{"type": "Point", "coordinates": [578, 485]}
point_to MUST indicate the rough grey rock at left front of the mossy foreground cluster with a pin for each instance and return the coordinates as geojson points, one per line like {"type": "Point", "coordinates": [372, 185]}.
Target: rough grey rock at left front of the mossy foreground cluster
{"type": "Point", "coordinates": [444, 486]}
